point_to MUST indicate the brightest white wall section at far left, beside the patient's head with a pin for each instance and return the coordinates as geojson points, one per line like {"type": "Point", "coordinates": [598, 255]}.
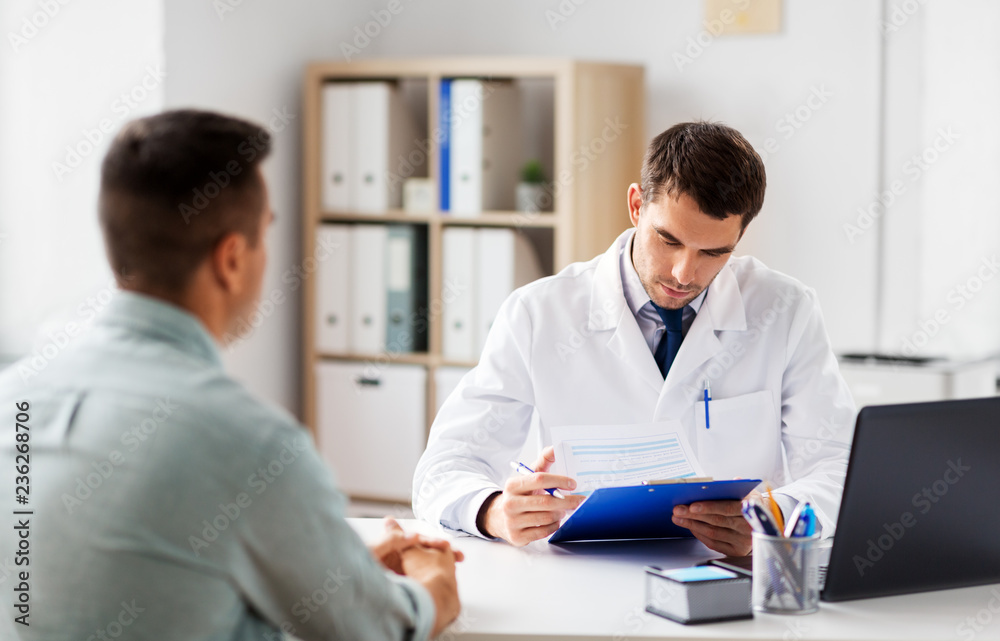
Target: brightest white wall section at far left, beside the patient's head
{"type": "Point", "coordinates": [62, 76]}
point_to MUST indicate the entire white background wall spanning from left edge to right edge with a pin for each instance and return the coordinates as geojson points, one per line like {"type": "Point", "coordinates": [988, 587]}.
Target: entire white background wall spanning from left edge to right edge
{"type": "Point", "coordinates": [941, 68]}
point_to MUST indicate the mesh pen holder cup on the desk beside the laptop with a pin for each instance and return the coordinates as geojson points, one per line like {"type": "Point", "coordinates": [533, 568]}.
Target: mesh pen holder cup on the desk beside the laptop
{"type": "Point", "coordinates": [785, 574]}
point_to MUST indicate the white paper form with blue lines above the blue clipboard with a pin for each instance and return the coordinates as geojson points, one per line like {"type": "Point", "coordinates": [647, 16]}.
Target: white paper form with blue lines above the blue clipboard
{"type": "Point", "coordinates": [615, 455]}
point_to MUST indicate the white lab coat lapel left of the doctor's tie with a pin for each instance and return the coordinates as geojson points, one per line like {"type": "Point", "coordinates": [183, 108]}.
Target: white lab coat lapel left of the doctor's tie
{"type": "Point", "coordinates": [610, 311]}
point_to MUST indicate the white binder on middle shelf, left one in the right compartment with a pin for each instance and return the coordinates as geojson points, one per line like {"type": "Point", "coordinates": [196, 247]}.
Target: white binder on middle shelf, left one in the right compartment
{"type": "Point", "coordinates": [458, 271]}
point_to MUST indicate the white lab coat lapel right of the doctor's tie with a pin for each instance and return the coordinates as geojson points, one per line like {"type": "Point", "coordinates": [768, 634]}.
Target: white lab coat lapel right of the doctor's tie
{"type": "Point", "coordinates": [722, 310]}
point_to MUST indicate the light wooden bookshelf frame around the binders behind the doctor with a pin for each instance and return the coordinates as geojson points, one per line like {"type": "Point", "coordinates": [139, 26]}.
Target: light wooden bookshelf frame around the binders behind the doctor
{"type": "Point", "coordinates": [584, 119]}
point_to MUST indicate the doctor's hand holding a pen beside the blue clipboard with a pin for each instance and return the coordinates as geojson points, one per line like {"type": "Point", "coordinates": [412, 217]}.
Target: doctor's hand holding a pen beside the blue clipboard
{"type": "Point", "coordinates": [525, 512]}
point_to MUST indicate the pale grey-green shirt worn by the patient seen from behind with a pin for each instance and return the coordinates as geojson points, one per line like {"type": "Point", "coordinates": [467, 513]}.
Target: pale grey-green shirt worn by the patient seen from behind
{"type": "Point", "coordinates": [169, 503]}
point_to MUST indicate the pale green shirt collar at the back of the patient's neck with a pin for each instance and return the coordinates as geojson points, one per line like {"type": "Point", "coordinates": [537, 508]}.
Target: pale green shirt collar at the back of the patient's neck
{"type": "Point", "coordinates": [157, 319]}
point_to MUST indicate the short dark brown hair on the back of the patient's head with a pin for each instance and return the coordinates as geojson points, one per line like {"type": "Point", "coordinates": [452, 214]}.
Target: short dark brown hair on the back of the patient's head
{"type": "Point", "coordinates": [172, 186]}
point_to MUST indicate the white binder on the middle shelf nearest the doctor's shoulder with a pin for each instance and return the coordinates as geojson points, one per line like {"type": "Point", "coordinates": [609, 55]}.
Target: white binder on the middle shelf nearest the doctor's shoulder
{"type": "Point", "coordinates": [506, 260]}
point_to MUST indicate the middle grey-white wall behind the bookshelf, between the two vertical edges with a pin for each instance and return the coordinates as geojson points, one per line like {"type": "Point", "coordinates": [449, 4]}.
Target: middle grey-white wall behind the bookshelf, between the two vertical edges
{"type": "Point", "coordinates": [249, 62]}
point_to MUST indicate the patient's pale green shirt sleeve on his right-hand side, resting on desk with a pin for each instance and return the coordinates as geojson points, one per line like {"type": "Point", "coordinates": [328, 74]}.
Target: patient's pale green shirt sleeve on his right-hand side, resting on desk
{"type": "Point", "coordinates": [303, 568]}
